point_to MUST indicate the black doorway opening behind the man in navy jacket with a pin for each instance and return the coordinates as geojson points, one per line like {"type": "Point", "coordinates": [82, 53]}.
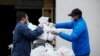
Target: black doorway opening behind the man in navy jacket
{"type": "Point", "coordinates": [8, 22]}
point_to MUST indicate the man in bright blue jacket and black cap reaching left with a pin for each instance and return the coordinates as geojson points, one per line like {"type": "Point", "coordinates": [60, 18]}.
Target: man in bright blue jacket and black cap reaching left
{"type": "Point", "coordinates": [79, 37]}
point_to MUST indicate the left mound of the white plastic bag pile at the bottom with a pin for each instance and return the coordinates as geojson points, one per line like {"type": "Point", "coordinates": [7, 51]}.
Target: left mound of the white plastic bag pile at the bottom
{"type": "Point", "coordinates": [48, 50]}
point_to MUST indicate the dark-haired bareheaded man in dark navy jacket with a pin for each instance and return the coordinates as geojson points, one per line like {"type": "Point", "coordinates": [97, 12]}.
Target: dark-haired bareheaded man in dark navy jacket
{"type": "Point", "coordinates": [23, 36]}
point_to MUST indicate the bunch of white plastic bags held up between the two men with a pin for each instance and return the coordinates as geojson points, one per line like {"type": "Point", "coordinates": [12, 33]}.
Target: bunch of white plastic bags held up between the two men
{"type": "Point", "coordinates": [47, 26]}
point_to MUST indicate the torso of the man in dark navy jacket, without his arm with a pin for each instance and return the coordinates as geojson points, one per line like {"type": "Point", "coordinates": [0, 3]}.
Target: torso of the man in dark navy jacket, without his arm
{"type": "Point", "coordinates": [21, 45]}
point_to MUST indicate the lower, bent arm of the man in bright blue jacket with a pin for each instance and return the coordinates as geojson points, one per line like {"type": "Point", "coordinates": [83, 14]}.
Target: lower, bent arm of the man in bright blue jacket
{"type": "Point", "coordinates": [78, 30]}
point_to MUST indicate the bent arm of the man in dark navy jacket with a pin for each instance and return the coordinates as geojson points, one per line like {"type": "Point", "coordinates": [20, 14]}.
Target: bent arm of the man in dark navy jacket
{"type": "Point", "coordinates": [31, 34]}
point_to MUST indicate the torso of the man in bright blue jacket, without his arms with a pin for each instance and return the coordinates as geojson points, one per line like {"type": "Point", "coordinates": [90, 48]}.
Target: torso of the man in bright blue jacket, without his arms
{"type": "Point", "coordinates": [81, 45]}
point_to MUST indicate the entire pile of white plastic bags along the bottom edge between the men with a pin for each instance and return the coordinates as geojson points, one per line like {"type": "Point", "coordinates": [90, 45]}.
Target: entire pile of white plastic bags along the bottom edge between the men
{"type": "Point", "coordinates": [48, 50]}
